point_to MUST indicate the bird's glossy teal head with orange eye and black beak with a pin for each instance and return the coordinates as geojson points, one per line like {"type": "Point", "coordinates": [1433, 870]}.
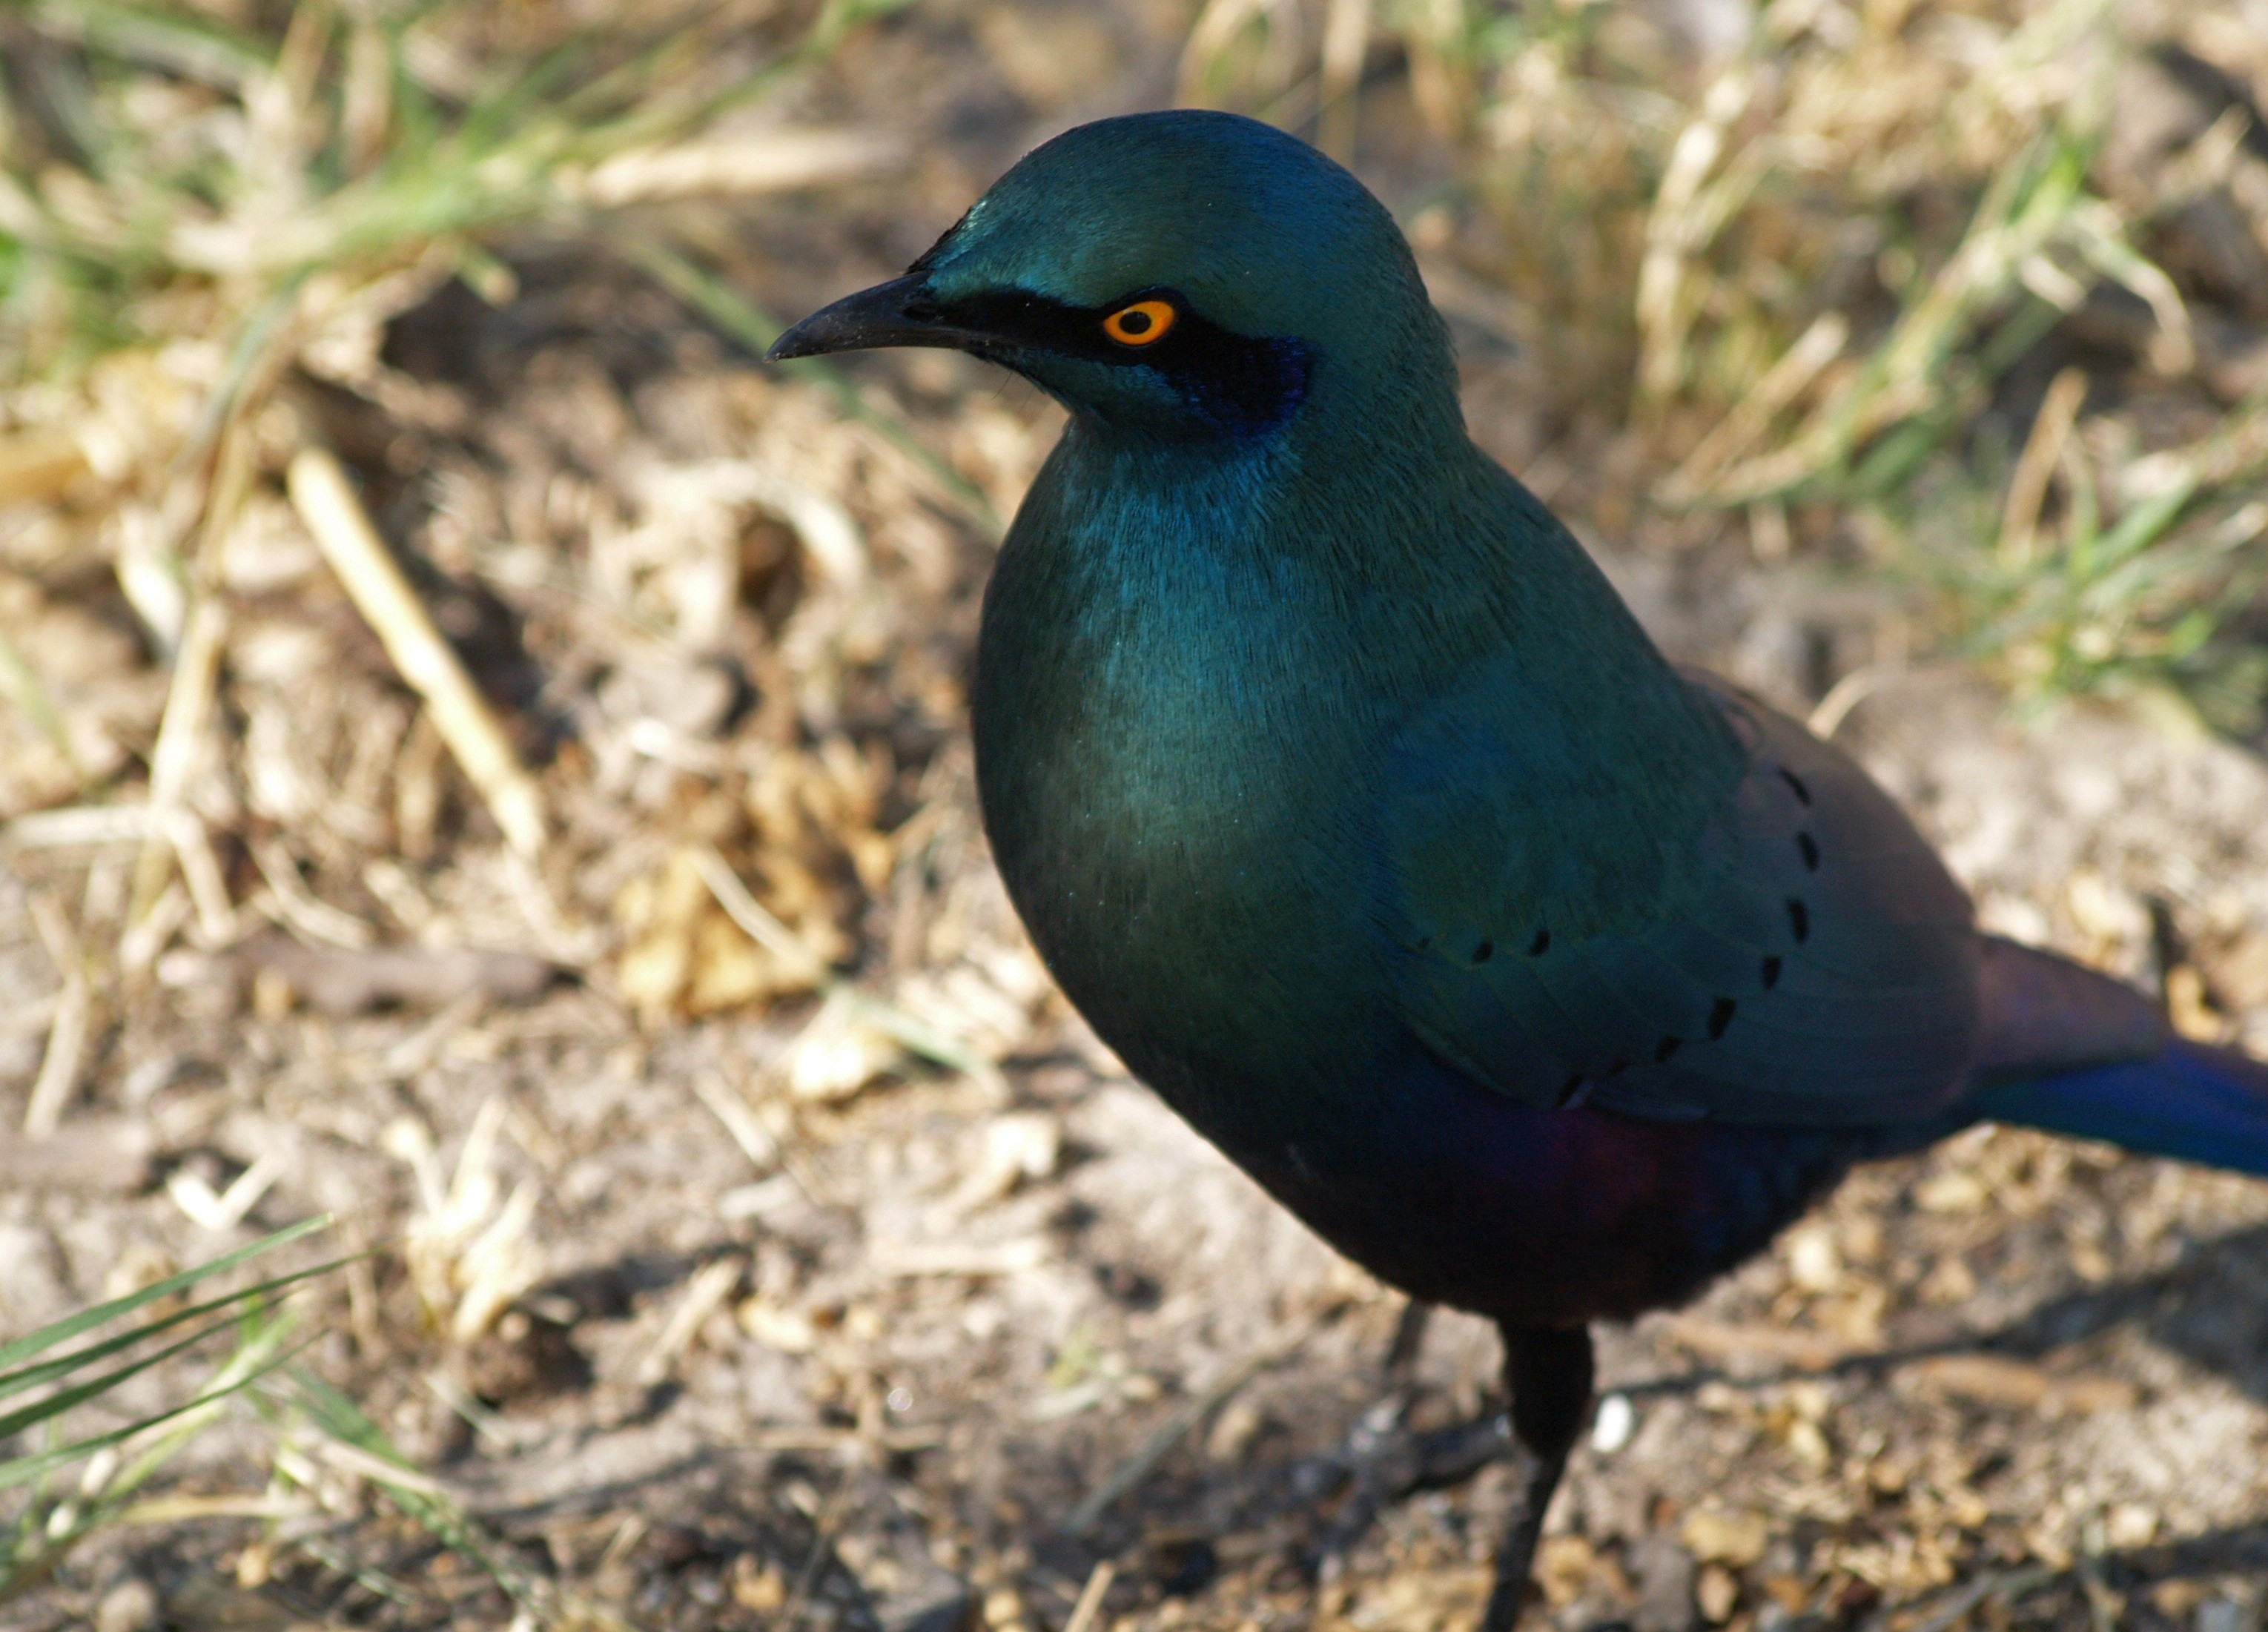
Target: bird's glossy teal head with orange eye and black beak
{"type": "Point", "coordinates": [1183, 275]}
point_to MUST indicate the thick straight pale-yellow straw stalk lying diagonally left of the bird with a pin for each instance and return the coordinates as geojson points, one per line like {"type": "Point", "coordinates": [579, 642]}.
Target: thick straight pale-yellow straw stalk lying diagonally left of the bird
{"type": "Point", "coordinates": [421, 656]}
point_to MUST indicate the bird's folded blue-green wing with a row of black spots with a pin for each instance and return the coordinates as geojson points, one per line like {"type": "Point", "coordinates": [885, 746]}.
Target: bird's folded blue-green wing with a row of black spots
{"type": "Point", "coordinates": [1800, 955]}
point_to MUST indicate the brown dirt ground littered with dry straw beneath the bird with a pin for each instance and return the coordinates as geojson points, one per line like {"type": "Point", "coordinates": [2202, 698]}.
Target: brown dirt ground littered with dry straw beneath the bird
{"type": "Point", "coordinates": [720, 1302]}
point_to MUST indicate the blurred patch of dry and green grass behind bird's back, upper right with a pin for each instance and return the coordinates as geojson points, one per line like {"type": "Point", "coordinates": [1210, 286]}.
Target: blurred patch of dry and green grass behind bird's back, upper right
{"type": "Point", "coordinates": [1820, 278]}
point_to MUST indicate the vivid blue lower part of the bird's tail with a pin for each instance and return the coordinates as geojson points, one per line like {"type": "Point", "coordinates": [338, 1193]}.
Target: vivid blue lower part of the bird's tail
{"type": "Point", "coordinates": [2190, 1103]}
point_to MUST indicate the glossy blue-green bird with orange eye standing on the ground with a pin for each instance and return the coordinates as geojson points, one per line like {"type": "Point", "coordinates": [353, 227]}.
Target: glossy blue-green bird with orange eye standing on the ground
{"type": "Point", "coordinates": [1355, 810]}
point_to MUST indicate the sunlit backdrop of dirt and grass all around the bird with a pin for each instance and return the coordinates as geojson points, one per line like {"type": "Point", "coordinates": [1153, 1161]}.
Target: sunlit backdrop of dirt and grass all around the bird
{"type": "Point", "coordinates": [491, 851]}
